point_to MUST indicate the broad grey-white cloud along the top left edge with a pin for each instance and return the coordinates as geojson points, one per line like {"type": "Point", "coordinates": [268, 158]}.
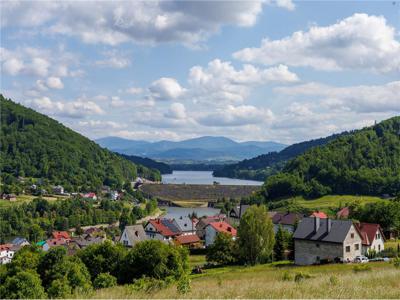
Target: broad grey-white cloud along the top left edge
{"type": "Point", "coordinates": [151, 22]}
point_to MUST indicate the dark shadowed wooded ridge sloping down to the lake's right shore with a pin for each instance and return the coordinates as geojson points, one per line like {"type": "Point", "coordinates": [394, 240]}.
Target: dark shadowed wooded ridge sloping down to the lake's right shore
{"type": "Point", "coordinates": [262, 166]}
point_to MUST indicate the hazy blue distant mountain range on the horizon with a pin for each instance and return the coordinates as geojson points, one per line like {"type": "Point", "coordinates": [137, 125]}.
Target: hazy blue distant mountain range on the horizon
{"type": "Point", "coordinates": [204, 148]}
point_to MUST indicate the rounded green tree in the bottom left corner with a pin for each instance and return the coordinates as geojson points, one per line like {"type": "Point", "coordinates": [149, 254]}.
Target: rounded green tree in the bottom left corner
{"type": "Point", "coordinates": [23, 285]}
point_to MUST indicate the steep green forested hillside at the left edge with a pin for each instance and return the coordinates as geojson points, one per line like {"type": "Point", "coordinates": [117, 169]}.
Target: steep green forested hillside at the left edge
{"type": "Point", "coordinates": [36, 146]}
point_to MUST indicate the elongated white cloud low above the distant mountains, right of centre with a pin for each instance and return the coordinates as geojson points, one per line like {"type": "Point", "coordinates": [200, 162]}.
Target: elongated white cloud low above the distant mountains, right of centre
{"type": "Point", "coordinates": [236, 116]}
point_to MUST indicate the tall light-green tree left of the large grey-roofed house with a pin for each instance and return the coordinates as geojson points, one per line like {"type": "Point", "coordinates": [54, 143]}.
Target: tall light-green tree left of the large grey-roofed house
{"type": "Point", "coordinates": [255, 236]}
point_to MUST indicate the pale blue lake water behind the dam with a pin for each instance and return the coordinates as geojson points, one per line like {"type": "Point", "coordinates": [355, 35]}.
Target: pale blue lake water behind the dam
{"type": "Point", "coordinates": [203, 177]}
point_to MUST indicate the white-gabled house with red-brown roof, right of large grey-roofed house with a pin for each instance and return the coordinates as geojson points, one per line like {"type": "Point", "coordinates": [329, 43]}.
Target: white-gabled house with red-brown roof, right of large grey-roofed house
{"type": "Point", "coordinates": [373, 238]}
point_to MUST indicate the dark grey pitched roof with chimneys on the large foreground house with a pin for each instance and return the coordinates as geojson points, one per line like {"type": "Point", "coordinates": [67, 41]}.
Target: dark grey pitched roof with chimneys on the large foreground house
{"type": "Point", "coordinates": [337, 233]}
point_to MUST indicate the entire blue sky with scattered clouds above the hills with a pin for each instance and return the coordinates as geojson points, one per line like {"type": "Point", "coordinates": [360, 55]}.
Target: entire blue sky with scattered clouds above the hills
{"type": "Point", "coordinates": [283, 70]}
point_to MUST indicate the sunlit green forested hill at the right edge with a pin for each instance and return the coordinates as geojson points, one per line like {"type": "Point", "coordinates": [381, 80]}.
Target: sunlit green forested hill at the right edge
{"type": "Point", "coordinates": [365, 162]}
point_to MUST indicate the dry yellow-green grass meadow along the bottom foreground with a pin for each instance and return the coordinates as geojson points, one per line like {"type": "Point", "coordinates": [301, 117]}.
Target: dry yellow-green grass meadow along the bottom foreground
{"type": "Point", "coordinates": [267, 281]}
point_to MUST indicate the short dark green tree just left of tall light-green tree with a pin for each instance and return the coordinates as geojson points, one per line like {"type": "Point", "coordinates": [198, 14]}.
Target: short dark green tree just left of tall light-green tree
{"type": "Point", "coordinates": [222, 251]}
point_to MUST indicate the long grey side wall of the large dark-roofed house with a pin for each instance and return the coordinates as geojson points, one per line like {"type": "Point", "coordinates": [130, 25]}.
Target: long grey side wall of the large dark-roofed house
{"type": "Point", "coordinates": [310, 252]}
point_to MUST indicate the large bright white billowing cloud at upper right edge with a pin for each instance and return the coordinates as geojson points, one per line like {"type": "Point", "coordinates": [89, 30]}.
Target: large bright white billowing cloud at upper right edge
{"type": "Point", "coordinates": [357, 42]}
